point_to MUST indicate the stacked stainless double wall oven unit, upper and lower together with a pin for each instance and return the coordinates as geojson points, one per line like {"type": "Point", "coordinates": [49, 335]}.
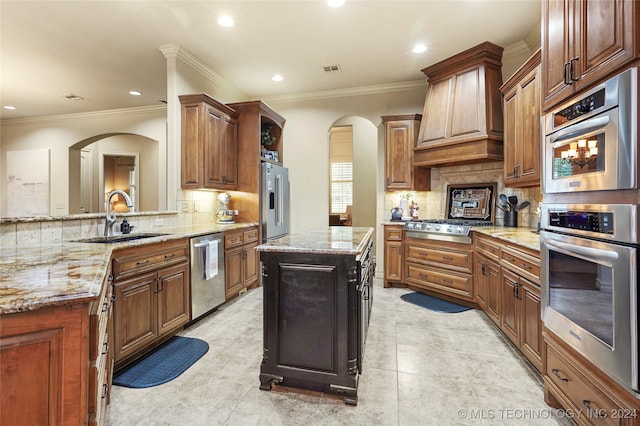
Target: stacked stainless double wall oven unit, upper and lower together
{"type": "Point", "coordinates": [589, 252]}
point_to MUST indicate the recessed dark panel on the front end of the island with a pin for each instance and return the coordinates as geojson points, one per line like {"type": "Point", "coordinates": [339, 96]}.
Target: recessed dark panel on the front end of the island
{"type": "Point", "coordinates": [307, 295]}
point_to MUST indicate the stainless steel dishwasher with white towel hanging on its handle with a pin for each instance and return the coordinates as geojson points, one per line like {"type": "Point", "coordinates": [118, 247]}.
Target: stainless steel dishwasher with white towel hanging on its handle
{"type": "Point", "coordinates": [207, 274]}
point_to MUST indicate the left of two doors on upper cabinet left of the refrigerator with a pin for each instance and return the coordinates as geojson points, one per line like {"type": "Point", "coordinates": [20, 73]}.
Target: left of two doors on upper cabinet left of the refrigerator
{"type": "Point", "coordinates": [213, 148]}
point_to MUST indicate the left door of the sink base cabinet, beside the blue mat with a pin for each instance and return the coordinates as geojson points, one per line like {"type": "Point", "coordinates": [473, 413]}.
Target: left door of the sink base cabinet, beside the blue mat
{"type": "Point", "coordinates": [134, 314]}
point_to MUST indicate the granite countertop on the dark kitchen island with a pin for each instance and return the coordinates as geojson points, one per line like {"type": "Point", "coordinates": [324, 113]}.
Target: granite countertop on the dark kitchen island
{"type": "Point", "coordinates": [330, 240]}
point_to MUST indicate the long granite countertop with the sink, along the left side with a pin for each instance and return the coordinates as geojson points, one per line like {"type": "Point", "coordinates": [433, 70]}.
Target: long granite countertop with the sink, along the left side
{"type": "Point", "coordinates": [36, 276]}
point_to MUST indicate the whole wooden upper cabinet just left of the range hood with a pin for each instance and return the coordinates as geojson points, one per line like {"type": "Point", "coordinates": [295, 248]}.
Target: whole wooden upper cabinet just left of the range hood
{"type": "Point", "coordinates": [401, 134]}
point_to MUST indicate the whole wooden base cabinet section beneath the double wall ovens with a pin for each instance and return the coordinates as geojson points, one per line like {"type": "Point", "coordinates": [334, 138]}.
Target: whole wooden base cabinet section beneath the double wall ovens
{"type": "Point", "coordinates": [574, 384]}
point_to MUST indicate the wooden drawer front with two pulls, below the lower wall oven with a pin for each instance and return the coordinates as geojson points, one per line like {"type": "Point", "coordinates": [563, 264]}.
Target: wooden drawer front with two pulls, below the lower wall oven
{"type": "Point", "coordinates": [593, 404]}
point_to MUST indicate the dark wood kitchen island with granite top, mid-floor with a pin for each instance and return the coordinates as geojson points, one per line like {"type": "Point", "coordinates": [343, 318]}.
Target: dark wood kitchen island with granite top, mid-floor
{"type": "Point", "coordinates": [317, 300]}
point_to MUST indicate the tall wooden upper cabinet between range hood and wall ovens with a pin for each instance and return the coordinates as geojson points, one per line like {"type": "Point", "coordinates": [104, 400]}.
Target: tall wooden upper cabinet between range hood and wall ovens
{"type": "Point", "coordinates": [522, 142]}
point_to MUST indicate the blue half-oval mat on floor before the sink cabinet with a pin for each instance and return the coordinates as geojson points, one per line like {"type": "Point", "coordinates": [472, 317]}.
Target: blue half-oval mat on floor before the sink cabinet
{"type": "Point", "coordinates": [164, 364]}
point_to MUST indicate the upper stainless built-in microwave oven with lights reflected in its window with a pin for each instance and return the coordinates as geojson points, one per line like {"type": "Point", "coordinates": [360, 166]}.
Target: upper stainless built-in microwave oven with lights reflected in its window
{"type": "Point", "coordinates": [590, 143]}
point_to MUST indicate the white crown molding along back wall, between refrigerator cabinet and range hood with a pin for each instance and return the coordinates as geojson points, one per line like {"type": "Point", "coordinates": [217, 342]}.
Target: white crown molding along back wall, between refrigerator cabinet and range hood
{"type": "Point", "coordinates": [351, 91]}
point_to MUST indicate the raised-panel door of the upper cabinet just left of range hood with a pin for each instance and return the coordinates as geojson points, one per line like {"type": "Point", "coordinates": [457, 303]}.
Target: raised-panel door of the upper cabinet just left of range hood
{"type": "Point", "coordinates": [398, 155]}
